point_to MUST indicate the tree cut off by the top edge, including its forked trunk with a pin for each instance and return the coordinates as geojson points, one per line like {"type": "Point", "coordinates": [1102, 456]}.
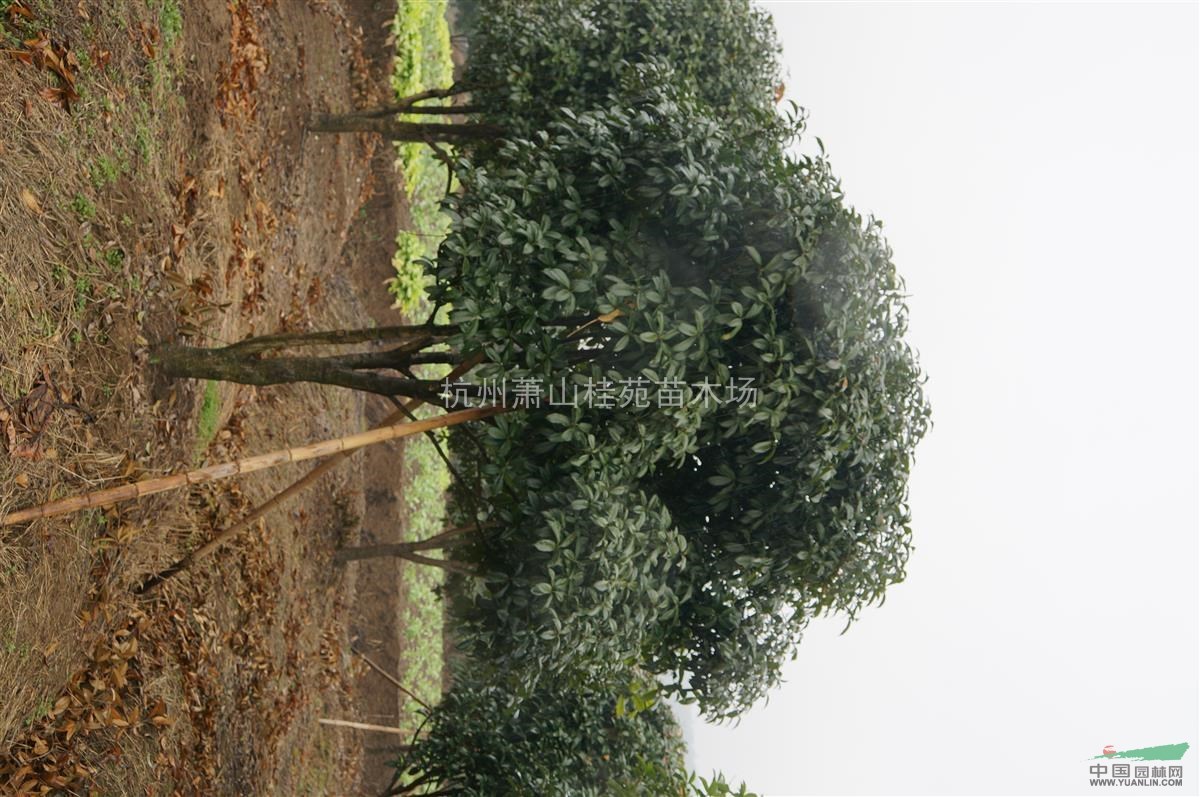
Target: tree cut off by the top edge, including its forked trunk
{"type": "Point", "coordinates": [530, 58]}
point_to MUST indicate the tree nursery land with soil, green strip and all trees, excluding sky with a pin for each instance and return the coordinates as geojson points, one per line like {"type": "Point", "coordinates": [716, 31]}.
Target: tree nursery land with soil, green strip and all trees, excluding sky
{"type": "Point", "coordinates": [629, 371]}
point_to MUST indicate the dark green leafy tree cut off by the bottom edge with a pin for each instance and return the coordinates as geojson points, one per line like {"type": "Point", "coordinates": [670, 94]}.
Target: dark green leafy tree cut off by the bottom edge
{"type": "Point", "coordinates": [483, 740]}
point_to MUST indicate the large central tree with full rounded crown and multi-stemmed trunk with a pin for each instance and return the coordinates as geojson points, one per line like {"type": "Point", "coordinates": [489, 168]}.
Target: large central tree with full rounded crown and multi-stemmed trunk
{"type": "Point", "coordinates": [653, 249]}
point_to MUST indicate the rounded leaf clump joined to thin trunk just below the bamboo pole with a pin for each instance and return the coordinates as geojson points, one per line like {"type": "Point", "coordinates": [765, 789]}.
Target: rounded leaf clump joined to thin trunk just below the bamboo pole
{"type": "Point", "coordinates": [580, 580]}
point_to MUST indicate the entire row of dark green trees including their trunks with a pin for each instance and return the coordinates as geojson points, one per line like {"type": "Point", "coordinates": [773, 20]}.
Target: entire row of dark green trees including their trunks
{"type": "Point", "coordinates": [631, 213]}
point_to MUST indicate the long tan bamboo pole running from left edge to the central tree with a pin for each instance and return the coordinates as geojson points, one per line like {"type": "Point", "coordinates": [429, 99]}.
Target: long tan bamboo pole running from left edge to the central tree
{"type": "Point", "coordinates": [239, 468]}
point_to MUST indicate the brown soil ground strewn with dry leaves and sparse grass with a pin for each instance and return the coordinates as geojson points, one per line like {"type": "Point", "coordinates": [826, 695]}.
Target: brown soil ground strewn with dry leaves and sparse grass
{"type": "Point", "coordinates": [181, 196]}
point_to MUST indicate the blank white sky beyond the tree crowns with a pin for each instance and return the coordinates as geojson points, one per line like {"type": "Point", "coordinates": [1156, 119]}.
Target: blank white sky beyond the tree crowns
{"type": "Point", "coordinates": [1036, 167]}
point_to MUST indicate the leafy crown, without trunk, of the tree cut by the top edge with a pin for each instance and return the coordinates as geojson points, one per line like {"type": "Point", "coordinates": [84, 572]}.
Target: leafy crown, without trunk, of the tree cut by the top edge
{"type": "Point", "coordinates": [531, 59]}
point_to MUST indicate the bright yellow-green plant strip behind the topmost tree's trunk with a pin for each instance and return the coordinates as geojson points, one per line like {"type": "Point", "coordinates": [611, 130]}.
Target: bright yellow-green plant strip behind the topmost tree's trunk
{"type": "Point", "coordinates": [423, 62]}
